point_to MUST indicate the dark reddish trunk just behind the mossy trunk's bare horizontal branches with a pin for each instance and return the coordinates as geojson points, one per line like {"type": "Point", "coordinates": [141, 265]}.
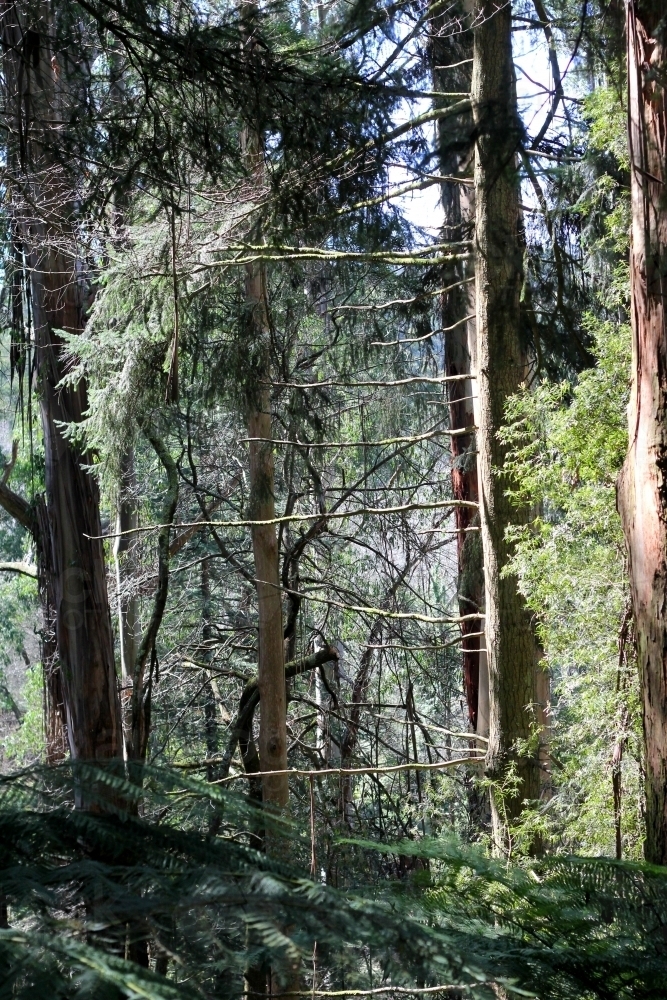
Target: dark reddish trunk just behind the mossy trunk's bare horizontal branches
{"type": "Point", "coordinates": [458, 307]}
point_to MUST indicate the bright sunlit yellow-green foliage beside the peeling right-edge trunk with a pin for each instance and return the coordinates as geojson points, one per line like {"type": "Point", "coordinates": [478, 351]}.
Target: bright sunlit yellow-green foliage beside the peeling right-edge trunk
{"type": "Point", "coordinates": [568, 443]}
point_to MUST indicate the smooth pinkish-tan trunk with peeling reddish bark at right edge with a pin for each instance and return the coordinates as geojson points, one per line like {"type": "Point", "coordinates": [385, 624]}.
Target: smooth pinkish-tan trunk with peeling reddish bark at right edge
{"type": "Point", "coordinates": [642, 492]}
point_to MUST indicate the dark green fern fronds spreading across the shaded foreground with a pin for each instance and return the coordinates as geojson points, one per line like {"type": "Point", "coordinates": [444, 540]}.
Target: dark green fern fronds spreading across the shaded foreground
{"type": "Point", "coordinates": [85, 887]}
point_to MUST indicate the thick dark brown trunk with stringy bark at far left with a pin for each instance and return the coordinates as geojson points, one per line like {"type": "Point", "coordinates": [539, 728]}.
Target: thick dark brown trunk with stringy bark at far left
{"type": "Point", "coordinates": [73, 550]}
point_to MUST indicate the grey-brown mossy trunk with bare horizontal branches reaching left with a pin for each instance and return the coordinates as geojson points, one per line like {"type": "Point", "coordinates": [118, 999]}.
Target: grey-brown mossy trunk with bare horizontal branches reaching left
{"type": "Point", "coordinates": [511, 647]}
